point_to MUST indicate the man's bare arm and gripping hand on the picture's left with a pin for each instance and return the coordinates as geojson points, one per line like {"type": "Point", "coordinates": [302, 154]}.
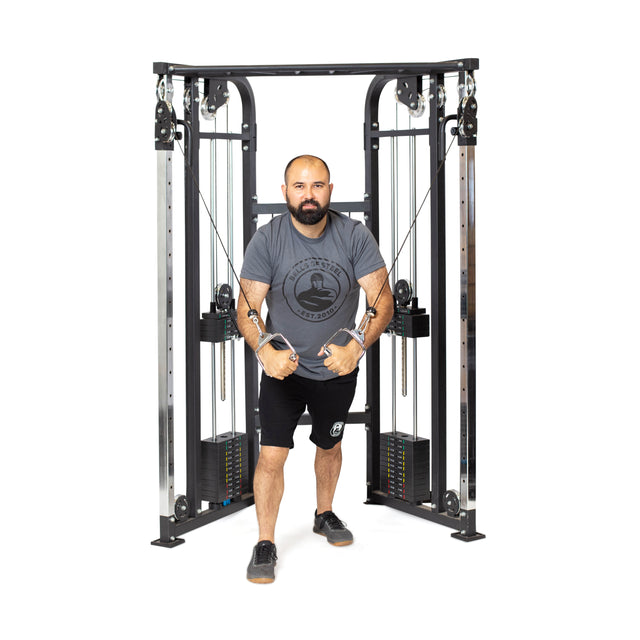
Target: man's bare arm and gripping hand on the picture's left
{"type": "Point", "coordinates": [276, 363]}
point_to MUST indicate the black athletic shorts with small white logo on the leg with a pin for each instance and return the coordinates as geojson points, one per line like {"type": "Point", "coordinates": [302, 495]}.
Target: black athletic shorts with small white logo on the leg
{"type": "Point", "coordinates": [282, 402]}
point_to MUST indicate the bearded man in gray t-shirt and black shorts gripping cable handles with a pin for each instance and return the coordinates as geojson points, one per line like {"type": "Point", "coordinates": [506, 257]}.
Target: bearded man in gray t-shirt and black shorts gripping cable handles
{"type": "Point", "coordinates": [286, 259]}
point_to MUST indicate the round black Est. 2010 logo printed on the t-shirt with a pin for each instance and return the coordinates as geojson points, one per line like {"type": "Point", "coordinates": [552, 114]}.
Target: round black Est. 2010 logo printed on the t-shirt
{"type": "Point", "coordinates": [315, 288]}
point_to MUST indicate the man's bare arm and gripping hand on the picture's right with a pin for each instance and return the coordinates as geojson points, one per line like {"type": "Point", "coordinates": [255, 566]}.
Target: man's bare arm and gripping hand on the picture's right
{"type": "Point", "coordinates": [344, 360]}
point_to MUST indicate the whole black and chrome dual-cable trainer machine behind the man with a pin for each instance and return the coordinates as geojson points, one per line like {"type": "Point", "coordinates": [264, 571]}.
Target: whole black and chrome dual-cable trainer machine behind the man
{"type": "Point", "coordinates": [404, 471]}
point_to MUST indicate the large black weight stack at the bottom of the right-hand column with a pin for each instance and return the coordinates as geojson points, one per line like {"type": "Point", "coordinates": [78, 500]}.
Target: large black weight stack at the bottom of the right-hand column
{"type": "Point", "coordinates": [404, 467]}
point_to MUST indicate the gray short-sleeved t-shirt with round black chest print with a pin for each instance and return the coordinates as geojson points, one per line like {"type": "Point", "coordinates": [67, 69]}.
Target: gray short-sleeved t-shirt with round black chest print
{"type": "Point", "coordinates": [314, 289]}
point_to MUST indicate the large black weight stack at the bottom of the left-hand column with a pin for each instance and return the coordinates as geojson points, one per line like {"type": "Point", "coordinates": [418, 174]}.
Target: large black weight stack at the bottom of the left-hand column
{"type": "Point", "coordinates": [224, 467]}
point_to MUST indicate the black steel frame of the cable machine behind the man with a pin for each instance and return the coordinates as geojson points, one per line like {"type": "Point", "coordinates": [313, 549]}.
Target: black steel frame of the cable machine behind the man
{"type": "Point", "coordinates": [464, 522]}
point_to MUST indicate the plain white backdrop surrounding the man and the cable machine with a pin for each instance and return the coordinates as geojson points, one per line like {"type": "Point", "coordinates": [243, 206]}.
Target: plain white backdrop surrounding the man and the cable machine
{"type": "Point", "coordinates": [557, 229]}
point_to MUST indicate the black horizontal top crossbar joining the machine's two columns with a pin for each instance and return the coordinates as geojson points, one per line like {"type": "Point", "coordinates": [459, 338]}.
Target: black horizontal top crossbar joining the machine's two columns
{"type": "Point", "coordinates": [394, 69]}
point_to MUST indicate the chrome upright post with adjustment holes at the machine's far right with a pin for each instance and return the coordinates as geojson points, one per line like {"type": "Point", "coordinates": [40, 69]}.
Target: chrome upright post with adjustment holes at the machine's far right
{"type": "Point", "coordinates": [467, 329]}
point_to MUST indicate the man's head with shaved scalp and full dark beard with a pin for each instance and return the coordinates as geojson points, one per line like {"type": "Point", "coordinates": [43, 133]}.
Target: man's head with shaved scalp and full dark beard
{"type": "Point", "coordinates": [308, 191]}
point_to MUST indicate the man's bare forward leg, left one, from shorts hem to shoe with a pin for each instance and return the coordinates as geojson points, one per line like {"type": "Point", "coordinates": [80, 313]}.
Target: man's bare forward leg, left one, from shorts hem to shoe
{"type": "Point", "coordinates": [268, 488]}
